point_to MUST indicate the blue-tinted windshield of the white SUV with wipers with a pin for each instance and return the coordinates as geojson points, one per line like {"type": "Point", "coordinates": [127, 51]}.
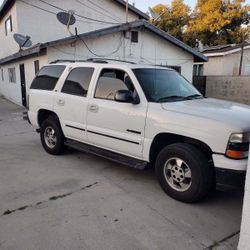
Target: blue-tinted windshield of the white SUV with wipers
{"type": "Point", "coordinates": [162, 85]}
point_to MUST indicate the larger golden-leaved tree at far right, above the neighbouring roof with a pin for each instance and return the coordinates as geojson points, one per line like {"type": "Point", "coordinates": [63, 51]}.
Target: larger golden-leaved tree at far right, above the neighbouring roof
{"type": "Point", "coordinates": [217, 22]}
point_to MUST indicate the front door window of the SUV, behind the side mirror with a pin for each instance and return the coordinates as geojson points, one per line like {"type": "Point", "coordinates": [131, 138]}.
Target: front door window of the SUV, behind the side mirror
{"type": "Point", "coordinates": [110, 81]}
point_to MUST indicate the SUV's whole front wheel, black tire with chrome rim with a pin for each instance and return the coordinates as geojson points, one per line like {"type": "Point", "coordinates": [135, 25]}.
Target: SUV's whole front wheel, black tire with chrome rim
{"type": "Point", "coordinates": [184, 172]}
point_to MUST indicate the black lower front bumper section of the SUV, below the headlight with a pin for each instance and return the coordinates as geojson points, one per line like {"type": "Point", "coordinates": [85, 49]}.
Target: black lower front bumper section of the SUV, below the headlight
{"type": "Point", "coordinates": [228, 177]}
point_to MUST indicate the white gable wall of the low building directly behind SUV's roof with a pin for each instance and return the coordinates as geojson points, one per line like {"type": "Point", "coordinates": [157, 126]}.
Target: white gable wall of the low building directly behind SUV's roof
{"type": "Point", "coordinates": [150, 50]}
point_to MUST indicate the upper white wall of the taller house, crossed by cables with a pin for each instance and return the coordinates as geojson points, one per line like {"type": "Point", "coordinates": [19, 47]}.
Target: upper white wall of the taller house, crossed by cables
{"type": "Point", "coordinates": [44, 27]}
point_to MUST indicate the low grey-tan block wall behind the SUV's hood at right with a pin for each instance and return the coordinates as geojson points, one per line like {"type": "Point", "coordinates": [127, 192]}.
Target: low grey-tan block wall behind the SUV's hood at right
{"type": "Point", "coordinates": [233, 88]}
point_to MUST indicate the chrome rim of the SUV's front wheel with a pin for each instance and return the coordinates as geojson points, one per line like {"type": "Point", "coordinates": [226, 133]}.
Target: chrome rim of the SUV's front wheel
{"type": "Point", "coordinates": [178, 174]}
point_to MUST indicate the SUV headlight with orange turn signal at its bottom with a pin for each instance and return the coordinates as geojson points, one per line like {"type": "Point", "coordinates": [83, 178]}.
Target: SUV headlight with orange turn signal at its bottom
{"type": "Point", "coordinates": [238, 146]}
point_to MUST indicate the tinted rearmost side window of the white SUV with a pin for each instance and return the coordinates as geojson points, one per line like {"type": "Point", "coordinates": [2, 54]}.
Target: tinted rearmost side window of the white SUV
{"type": "Point", "coordinates": [47, 78]}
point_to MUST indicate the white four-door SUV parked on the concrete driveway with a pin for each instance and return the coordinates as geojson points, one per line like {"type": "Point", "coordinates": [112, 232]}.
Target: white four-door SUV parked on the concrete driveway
{"type": "Point", "coordinates": [139, 116]}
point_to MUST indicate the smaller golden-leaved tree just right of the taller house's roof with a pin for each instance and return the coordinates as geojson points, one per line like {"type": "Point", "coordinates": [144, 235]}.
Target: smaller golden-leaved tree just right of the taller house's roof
{"type": "Point", "coordinates": [174, 18]}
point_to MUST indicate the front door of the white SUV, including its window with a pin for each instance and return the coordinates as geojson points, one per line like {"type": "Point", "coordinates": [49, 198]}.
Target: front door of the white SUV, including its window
{"type": "Point", "coordinates": [112, 125]}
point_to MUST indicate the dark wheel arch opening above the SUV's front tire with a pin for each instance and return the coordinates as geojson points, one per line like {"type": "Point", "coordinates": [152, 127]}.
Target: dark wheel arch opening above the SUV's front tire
{"type": "Point", "coordinates": [162, 140]}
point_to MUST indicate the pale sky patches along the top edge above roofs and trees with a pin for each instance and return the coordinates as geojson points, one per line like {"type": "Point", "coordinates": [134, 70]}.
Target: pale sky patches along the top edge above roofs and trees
{"type": "Point", "coordinates": [144, 4]}
